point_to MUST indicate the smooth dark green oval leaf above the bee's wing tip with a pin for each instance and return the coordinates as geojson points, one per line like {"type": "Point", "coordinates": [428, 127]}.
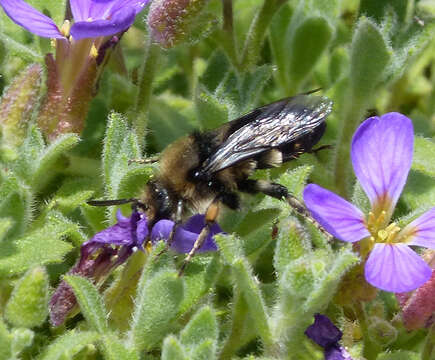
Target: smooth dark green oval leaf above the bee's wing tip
{"type": "Point", "coordinates": [310, 39]}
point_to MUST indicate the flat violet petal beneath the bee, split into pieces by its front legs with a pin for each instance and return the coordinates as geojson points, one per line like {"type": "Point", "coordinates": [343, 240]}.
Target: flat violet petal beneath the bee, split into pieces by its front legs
{"type": "Point", "coordinates": [186, 234]}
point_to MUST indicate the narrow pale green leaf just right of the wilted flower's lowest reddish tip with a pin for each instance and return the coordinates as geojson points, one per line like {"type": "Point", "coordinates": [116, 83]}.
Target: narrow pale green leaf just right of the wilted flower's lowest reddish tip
{"type": "Point", "coordinates": [90, 301]}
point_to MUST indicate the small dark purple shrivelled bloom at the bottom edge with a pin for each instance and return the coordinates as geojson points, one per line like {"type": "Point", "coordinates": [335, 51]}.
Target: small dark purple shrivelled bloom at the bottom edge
{"type": "Point", "coordinates": [325, 334]}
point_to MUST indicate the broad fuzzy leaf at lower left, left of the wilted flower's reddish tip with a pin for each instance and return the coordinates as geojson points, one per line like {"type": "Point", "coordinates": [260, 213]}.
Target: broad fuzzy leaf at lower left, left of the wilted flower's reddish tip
{"type": "Point", "coordinates": [28, 304]}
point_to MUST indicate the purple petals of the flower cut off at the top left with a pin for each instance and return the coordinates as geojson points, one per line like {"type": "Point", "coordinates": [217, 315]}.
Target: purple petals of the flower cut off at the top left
{"type": "Point", "coordinates": [92, 18]}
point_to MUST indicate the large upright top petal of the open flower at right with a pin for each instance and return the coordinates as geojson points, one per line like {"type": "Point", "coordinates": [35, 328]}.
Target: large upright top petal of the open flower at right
{"type": "Point", "coordinates": [381, 153]}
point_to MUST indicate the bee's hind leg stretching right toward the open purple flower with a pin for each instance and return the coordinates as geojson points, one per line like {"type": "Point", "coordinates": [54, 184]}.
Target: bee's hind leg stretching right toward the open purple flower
{"type": "Point", "coordinates": [280, 192]}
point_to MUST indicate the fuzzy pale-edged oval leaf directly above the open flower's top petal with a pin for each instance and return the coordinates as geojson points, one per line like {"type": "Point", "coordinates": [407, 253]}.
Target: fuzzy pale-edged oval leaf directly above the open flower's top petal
{"type": "Point", "coordinates": [368, 47]}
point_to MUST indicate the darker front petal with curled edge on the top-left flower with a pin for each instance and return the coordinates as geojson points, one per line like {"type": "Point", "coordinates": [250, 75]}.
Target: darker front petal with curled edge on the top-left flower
{"type": "Point", "coordinates": [89, 29]}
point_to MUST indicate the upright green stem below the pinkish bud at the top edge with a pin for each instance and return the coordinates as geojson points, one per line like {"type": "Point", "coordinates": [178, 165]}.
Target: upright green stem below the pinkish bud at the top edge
{"type": "Point", "coordinates": [147, 73]}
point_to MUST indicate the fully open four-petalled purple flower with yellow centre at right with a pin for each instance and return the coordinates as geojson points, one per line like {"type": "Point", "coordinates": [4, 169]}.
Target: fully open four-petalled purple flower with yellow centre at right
{"type": "Point", "coordinates": [381, 154]}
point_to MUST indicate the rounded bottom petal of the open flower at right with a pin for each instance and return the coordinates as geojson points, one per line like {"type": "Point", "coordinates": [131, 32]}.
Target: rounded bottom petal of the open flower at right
{"type": "Point", "coordinates": [396, 268]}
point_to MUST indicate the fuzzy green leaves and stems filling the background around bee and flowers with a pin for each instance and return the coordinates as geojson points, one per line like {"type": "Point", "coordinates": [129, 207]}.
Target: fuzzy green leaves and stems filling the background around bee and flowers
{"type": "Point", "coordinates": [255, 297]}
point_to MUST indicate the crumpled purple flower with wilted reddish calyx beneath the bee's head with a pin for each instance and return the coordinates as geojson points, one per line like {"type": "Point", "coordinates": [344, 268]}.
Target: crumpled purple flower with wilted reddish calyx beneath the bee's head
{"type": "Point", "coordinates": [112, 247]}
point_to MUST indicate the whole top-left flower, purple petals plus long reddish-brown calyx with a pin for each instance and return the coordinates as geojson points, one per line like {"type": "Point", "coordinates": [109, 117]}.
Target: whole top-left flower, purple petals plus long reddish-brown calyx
{"type": "Point", "coordinates": [82, 48]}
